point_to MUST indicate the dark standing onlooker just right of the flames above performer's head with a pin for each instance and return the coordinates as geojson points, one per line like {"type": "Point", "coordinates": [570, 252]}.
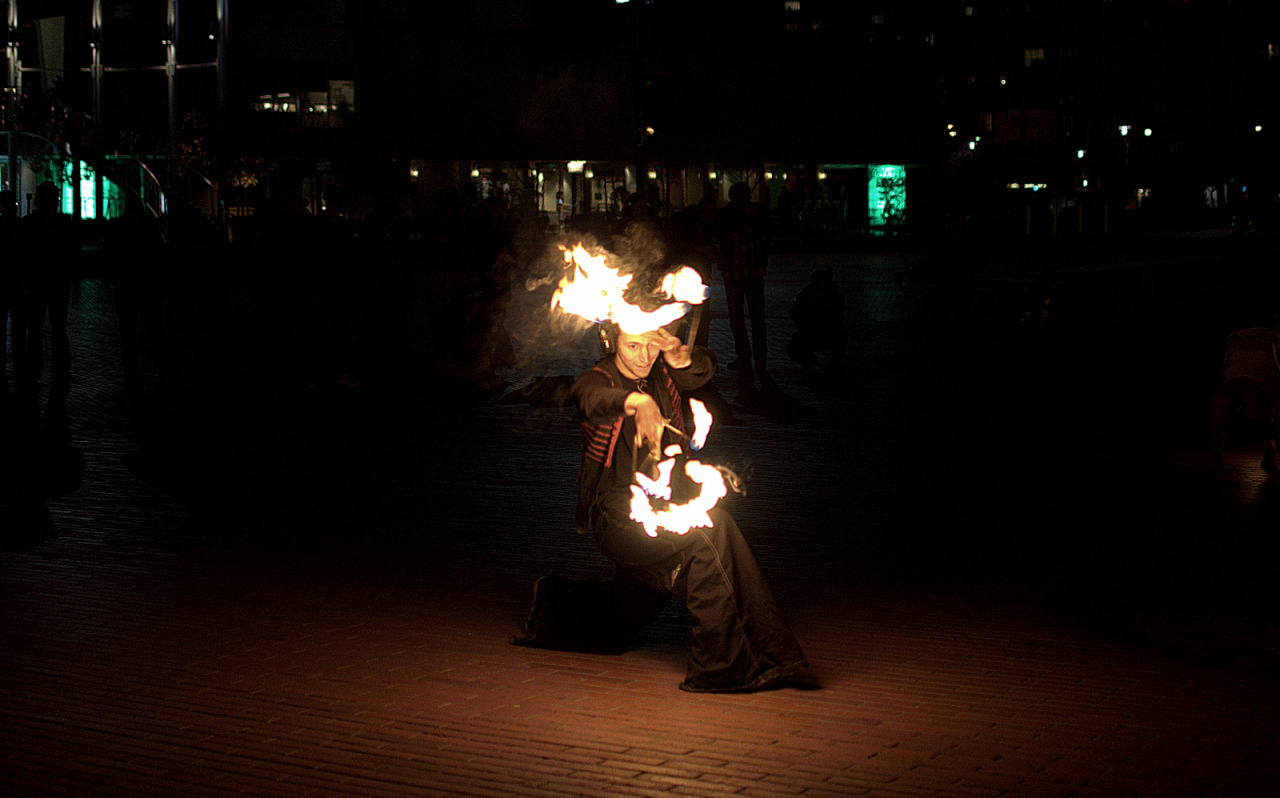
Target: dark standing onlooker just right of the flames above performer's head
{"type": "Point", "coordinates": [742, 232]}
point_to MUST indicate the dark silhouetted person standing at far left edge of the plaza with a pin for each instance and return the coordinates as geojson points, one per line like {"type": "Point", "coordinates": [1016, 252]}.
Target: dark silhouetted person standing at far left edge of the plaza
{"type": "Point", "coordinates": [51, 247]}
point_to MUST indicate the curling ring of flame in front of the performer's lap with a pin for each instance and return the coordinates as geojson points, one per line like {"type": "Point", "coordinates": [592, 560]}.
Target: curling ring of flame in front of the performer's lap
{"type": "Point", "coordinates": [679, 519]}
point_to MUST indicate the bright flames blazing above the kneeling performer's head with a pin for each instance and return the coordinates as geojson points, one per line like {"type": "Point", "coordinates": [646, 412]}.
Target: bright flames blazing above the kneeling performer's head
{"type": "Point", "coordinates": [593, 290]}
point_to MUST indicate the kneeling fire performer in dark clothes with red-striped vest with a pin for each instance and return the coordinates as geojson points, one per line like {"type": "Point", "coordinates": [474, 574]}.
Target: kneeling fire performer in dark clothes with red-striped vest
{"type": "Point", "coordinates": [630, 408]}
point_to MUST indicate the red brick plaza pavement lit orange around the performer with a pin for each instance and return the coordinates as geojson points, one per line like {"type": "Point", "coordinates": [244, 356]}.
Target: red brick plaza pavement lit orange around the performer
{"type": "Point", "coordinates": [1012, 581]}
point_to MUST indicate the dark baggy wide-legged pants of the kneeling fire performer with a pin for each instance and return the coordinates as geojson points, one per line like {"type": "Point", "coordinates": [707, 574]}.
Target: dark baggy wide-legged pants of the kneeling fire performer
{"type": "Point", "coordinates": [740, 640]}
